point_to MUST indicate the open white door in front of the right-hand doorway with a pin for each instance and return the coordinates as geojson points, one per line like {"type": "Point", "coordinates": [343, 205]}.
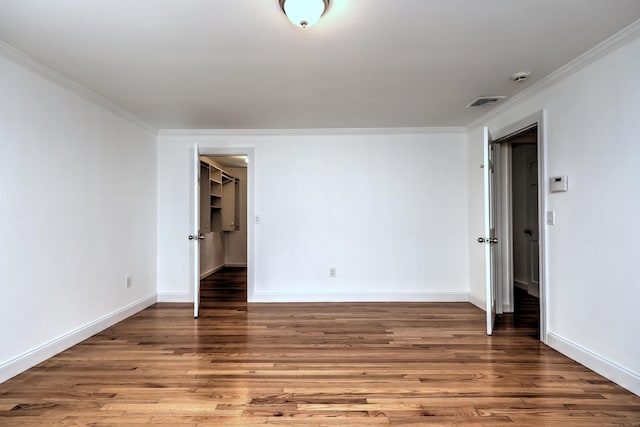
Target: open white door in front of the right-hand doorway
{"type": "Point", "coordinates": [489, 238]}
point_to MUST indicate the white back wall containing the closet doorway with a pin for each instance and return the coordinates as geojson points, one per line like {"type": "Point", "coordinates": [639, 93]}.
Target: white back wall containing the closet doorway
{"type": "Point", "coordinates": [389, 211]}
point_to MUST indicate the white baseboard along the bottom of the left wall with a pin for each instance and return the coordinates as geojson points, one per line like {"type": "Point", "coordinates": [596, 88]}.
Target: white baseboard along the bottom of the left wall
{"type": "Point", "coordinates": [31, 358]}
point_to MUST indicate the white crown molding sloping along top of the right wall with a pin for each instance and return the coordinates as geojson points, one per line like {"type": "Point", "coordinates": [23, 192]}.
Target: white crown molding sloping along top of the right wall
{"type": "Point", "coordinates": [613, 43]}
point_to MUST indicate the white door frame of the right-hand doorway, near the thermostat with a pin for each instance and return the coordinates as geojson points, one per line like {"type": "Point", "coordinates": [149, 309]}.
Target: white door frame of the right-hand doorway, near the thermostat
{"type": "Point", "coordinates": [537, 119]}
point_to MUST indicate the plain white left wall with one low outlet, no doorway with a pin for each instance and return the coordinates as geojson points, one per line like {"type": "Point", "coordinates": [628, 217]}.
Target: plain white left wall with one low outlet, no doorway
{"type": "Point", "coordinates": [77, 215]}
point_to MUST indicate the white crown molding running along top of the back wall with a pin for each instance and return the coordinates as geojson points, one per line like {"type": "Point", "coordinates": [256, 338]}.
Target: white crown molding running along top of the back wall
{"type": "Point", "coordinates": [298, 132]}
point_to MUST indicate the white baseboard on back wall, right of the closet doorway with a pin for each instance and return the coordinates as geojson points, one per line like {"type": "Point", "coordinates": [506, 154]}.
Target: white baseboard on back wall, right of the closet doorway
{"type": "Point", "coordinates": [362, 297]}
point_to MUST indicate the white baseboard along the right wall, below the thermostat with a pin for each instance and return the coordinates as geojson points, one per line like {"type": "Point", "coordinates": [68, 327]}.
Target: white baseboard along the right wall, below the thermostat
{"type": "Point", "coordinates": [607, 368]}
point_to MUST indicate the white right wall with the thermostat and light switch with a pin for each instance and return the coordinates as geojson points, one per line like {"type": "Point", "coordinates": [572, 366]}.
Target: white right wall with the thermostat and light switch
{"type": "Point", "coordinates": [593, 286]}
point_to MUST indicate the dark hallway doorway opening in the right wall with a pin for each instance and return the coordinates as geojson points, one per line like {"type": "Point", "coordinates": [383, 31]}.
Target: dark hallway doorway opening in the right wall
{"type": "Point", "coordinates": [520, 174]}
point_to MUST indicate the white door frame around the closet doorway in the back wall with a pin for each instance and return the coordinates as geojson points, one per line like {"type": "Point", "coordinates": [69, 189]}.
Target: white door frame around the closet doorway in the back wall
{"type": "Point", "coordinates": [213, 150]}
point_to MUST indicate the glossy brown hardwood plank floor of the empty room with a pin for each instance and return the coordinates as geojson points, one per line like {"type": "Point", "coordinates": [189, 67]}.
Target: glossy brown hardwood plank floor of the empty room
{"type": "Point", "coordinates": [350, 364]}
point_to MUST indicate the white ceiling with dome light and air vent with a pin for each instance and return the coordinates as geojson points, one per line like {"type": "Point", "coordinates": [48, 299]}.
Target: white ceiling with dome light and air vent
{"type": "Point", "coordinates": [231, 64]}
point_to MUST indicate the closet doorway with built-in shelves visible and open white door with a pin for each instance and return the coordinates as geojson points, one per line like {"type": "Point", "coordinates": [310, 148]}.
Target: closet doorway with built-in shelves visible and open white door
{"type": "Point", "coordinates": [221, 230]}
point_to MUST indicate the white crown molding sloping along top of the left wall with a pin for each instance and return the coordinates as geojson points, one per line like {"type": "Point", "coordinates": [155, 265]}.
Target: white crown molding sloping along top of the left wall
{"type": "Point", "coordinates": [18, 57]}
